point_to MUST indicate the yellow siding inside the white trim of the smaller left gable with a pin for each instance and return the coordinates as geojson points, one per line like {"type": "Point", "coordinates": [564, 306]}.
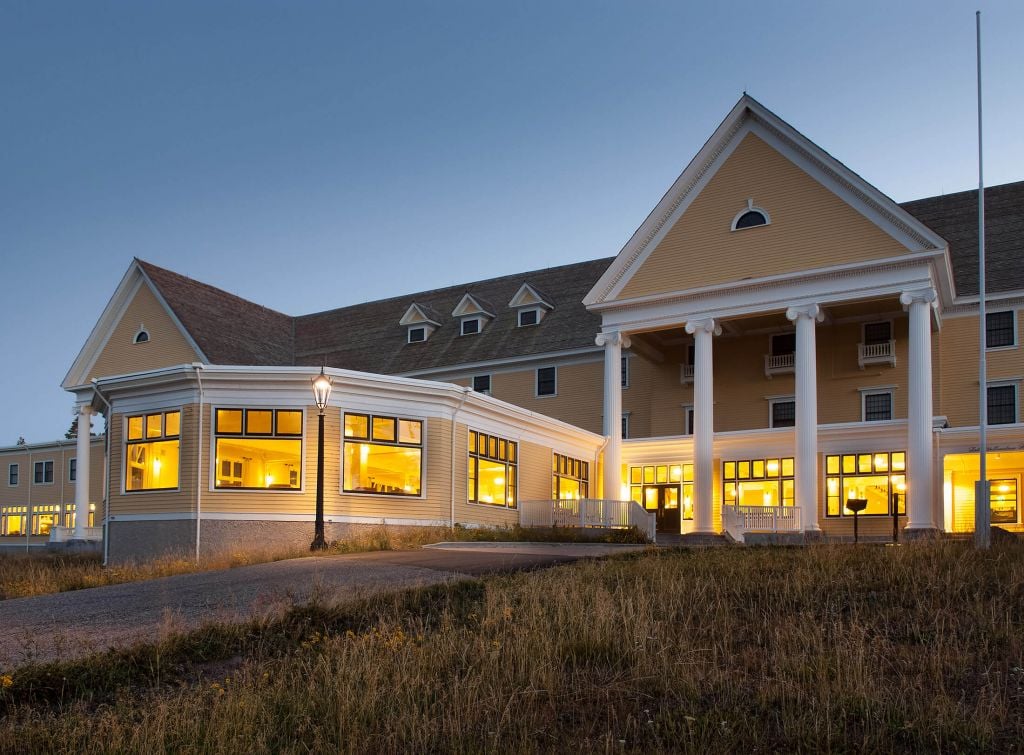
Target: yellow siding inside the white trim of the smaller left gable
{"type": "Point", "coordinates": [166, 346]}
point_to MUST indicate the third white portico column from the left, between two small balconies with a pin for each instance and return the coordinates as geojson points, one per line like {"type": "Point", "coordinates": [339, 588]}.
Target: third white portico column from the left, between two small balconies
{"type": "Point", "coordinates": [807, 413]}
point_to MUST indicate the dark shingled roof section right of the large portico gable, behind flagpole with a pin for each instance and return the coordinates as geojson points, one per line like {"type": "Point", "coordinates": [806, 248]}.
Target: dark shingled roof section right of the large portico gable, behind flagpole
{"type": "Point", "coordinates": [955, 218]}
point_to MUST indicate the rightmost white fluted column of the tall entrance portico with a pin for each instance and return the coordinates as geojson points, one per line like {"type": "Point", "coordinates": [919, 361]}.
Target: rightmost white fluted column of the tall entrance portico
{"type": "Point", "coordinates": [919, 452]}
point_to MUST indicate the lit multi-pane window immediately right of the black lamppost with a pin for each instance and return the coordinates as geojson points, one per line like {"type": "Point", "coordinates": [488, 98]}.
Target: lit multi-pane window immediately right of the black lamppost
{"type": "Point", "coordinates": [383, 455]}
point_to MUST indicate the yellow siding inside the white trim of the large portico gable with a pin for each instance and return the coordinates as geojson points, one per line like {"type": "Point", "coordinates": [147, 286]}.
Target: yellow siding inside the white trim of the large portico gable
{"type": "Point", "coordinates": [810, 228]}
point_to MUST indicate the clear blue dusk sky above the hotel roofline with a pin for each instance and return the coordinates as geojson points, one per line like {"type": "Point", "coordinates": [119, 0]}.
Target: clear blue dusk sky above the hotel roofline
{"type": "Point", "coordinates": [310, 155]}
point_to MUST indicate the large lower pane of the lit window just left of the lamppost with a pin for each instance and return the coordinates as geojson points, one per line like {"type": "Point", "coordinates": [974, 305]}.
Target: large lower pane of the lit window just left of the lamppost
{"type": "Point", "coordinates": [259, 464]}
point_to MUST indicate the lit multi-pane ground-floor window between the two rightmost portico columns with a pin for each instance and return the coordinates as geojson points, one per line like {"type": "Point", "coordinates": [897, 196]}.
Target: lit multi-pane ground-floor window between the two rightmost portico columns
{"type": "Point", "coordinates": [879, 478]}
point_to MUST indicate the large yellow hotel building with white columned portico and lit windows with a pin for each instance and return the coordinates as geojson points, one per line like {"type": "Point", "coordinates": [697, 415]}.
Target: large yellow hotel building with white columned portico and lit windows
{"type": "Point", "coordinates": [778, 339]}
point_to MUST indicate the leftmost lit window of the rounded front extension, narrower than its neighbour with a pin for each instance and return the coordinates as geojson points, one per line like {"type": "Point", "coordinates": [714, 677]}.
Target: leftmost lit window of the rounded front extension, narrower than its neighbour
{"type": "Point", "coordinates": [152, 448]}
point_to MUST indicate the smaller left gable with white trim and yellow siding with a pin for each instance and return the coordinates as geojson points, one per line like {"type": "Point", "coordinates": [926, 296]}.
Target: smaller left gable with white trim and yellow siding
{"type": "Point", "coordinates": [137, 304]}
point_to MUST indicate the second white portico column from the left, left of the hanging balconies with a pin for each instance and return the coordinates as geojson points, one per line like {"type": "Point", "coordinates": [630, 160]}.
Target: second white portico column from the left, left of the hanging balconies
{"type": "Point", "coordinates": [704, 425]}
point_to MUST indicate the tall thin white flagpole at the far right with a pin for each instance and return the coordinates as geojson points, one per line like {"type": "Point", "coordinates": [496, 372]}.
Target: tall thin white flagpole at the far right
{"type": "Point", "coordinates": [983, 512]}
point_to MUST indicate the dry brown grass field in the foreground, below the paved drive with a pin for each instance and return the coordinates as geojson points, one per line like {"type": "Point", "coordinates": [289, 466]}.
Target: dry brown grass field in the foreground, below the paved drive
{"type": "Point", "coordinates": [834, 648]}
